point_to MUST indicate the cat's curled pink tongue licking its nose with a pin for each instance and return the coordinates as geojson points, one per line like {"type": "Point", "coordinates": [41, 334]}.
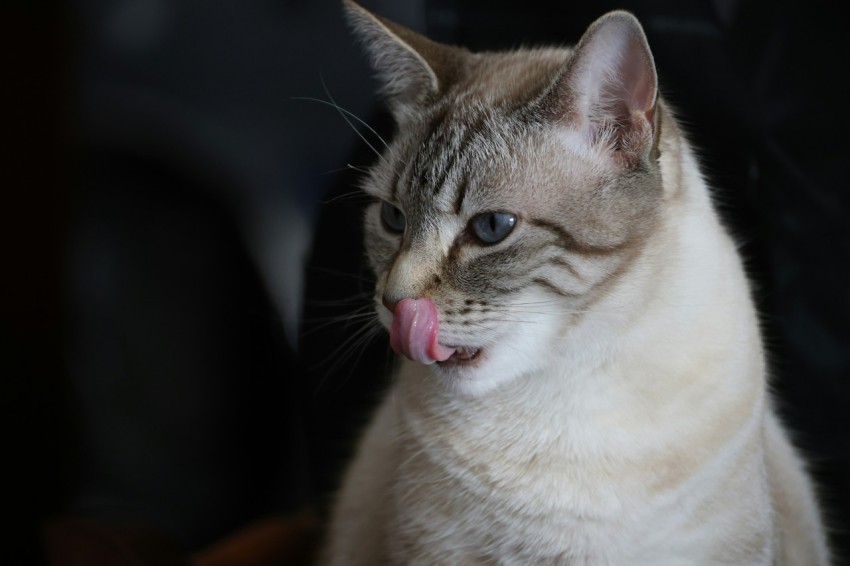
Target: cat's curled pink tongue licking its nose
{"type": "Point", "coordinates": [415, 332]}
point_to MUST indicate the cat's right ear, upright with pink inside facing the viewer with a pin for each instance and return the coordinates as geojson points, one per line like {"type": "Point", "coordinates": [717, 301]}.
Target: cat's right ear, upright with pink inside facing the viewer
{"type": "Point", "coordinates": [609, 89]}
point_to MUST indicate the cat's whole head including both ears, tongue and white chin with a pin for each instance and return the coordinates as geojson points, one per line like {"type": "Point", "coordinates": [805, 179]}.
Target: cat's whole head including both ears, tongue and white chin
{"type": "Point", "coordinates": [517, 190]}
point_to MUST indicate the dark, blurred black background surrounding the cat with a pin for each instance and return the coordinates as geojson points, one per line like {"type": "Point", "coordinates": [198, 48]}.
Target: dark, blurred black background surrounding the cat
{"type": "Point", "coordinates": [182, 243]}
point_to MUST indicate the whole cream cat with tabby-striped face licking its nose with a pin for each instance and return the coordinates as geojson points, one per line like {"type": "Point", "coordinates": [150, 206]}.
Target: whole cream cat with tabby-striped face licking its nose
{"type": "Point", "coordinates": [582, 378]}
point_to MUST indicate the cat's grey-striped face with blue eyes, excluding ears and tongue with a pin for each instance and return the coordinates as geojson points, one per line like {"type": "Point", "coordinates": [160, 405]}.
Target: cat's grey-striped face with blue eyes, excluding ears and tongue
{"type": "Point", "coordinates": [511, 219]}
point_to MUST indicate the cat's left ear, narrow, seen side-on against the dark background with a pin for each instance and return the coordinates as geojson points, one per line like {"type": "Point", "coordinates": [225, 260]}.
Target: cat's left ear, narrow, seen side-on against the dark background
{"type": "Point", "coordinates": [412, 68]}
